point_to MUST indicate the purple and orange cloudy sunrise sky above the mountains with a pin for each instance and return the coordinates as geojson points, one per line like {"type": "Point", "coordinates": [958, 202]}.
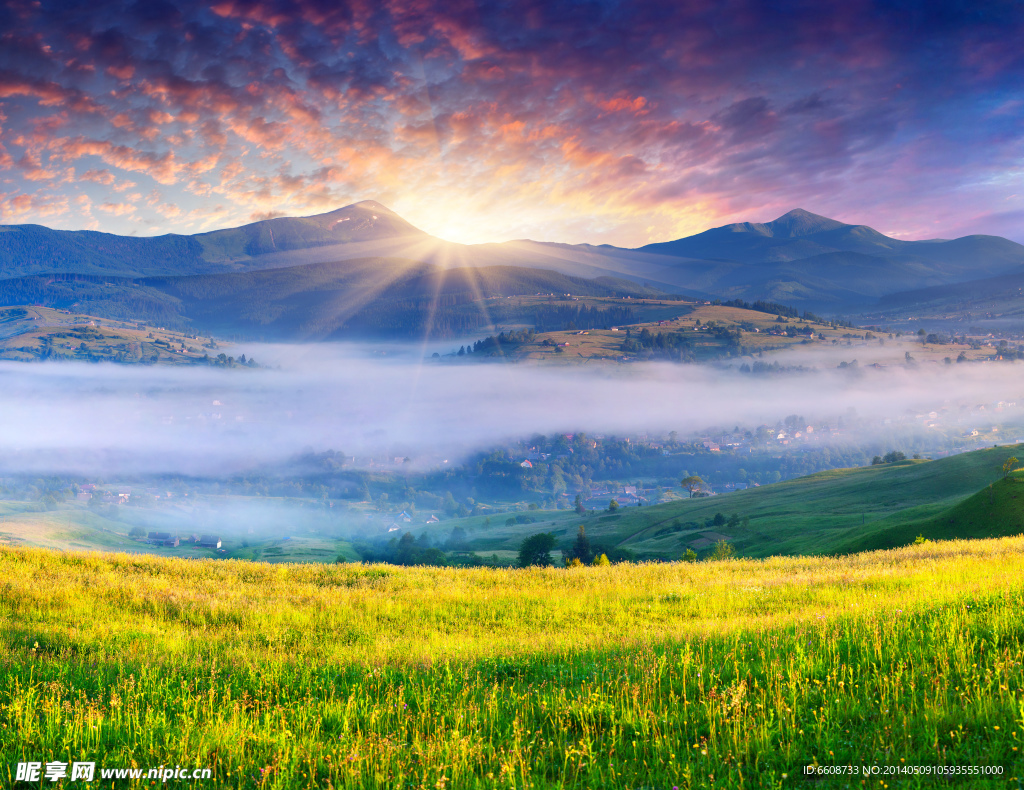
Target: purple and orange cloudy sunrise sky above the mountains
{"type": "Point", "coordinates": [616, 123]}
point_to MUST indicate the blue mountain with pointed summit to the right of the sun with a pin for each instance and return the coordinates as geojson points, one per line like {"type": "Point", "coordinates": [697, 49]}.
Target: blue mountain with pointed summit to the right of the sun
{"type": "Point", "coordinates": [808, 260]}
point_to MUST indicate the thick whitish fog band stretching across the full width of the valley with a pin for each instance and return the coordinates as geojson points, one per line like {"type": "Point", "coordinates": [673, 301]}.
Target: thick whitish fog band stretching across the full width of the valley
{"type": "Point", "coordinates": [392, 401]}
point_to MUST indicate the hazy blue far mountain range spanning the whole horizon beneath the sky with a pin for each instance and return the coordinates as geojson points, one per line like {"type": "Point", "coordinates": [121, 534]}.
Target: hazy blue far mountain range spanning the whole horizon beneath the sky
{"type": "Point", "coordinates": [800, 259]}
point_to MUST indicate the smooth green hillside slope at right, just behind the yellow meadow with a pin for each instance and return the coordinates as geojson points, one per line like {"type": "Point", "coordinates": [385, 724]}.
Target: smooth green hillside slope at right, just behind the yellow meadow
{"type": "Point", "coordinates": [817, 515]}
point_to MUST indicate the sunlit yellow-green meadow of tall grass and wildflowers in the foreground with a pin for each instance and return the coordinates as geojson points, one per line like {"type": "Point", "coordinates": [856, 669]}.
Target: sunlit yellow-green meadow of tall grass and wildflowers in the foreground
{"type": "Point", "coordinates": [732, 675]}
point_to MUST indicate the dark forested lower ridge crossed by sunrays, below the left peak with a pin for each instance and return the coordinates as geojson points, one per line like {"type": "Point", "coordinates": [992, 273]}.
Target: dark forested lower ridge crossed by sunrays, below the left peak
{"type": "Point", "coordinates": [379, 298]}
